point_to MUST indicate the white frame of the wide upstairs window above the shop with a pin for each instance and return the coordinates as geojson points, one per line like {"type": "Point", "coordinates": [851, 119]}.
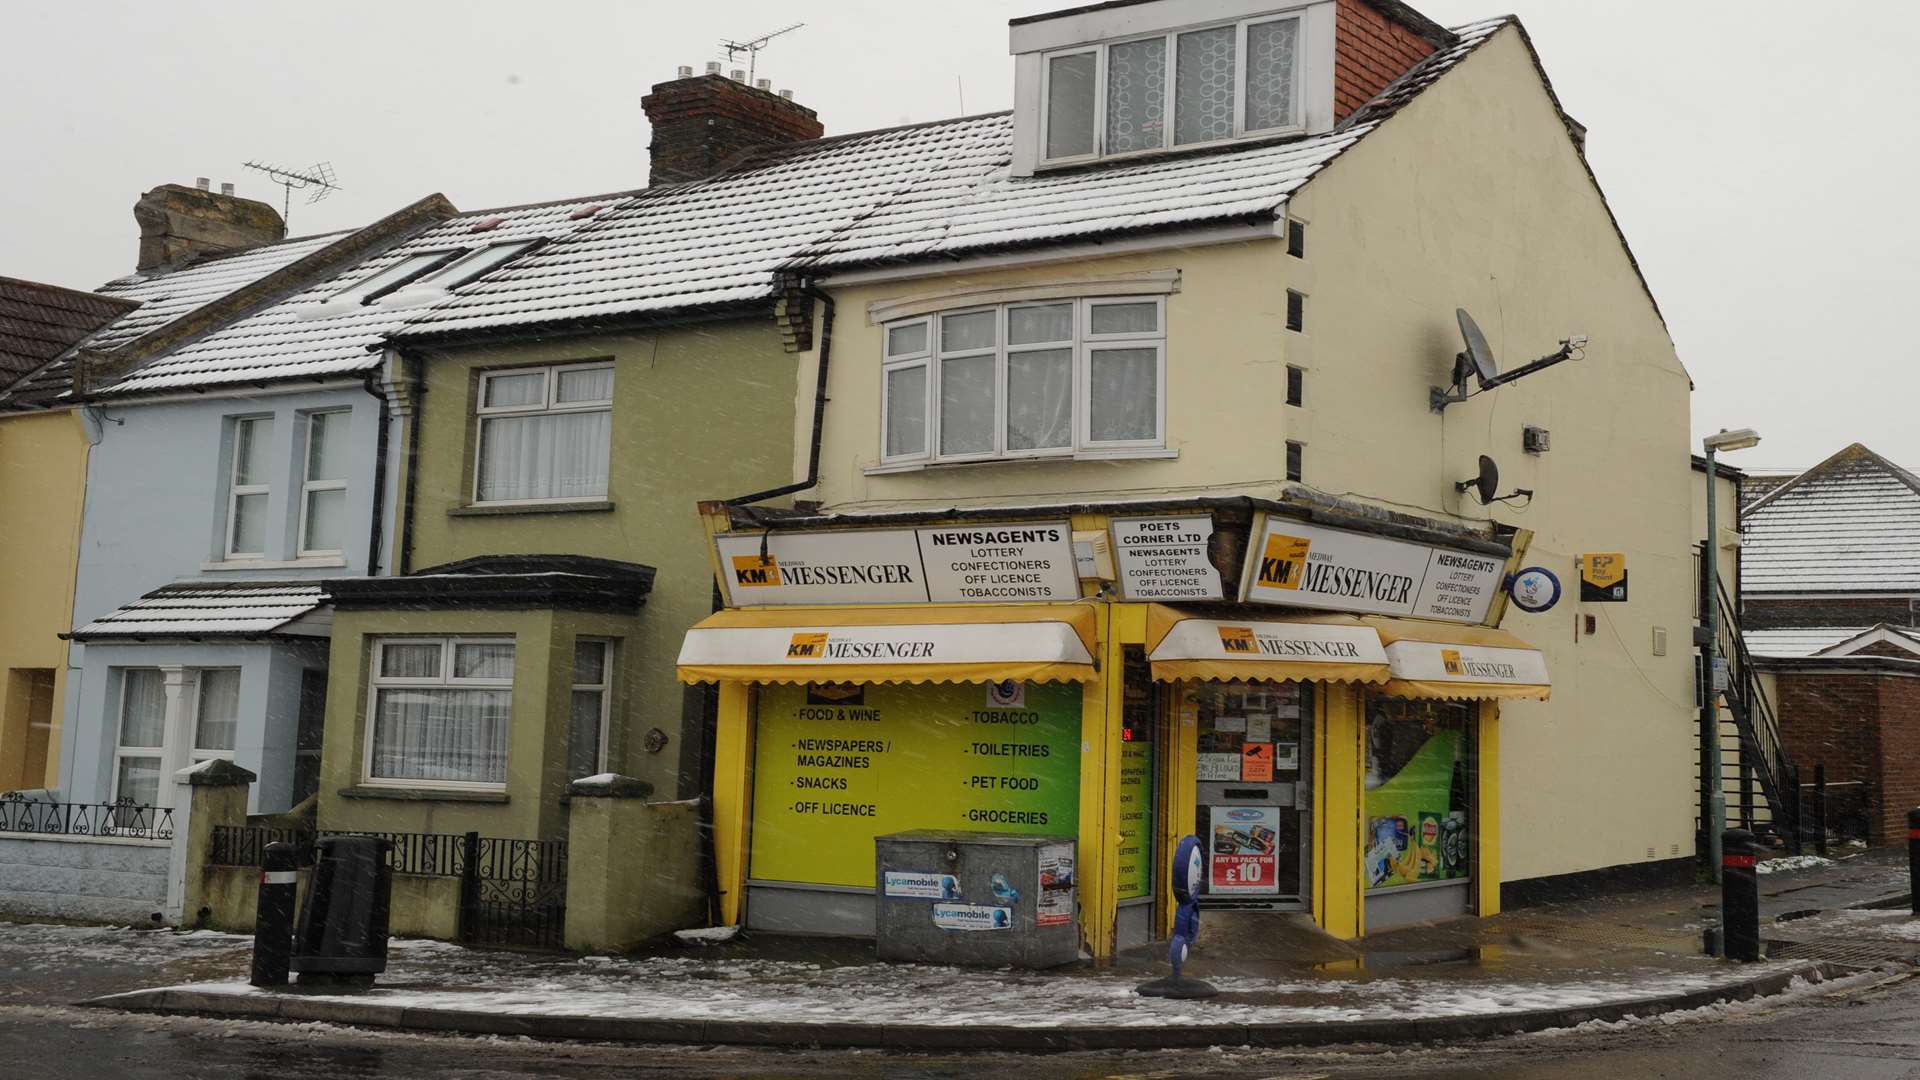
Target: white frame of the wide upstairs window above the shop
{"type": "Point", "coordinates": [1082, 345]}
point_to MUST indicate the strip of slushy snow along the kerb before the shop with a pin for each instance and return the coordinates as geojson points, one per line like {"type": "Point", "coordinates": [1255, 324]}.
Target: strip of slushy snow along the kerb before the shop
{"type": "Point", "coordinates": [944, 996]}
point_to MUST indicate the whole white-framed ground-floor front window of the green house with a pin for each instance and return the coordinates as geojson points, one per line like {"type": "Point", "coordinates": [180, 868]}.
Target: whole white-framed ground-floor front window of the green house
{"type": "Point", "coordinates": [441, 712]}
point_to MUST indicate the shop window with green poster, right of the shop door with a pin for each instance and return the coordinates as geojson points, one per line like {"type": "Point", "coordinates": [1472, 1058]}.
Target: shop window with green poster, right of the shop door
{"type": "Point", "coordinates": [1420, 804]}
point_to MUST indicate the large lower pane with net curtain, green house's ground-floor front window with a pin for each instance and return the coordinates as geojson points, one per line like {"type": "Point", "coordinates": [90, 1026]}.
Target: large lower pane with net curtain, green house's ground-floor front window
{"type": "Point", "coordinates": [443, 735]}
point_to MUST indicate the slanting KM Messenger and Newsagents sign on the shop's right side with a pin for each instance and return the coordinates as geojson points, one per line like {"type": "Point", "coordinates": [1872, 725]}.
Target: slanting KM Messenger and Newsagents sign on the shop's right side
{"type": "Point", "coordinates": [1308, 566]}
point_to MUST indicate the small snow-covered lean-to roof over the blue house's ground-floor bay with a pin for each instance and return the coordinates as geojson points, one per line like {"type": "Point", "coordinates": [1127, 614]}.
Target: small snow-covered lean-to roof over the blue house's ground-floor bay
{"type": "Point", "coordinates": [203, 610]}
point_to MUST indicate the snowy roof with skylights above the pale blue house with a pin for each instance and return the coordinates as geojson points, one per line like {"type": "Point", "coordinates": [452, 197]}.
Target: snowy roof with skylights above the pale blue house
{"type": "Point", "coordinates": [306, 337]}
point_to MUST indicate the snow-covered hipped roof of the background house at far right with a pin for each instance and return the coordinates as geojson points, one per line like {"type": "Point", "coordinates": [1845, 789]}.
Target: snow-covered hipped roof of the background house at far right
{"type": "Point", "coordinates": [1852, 524]}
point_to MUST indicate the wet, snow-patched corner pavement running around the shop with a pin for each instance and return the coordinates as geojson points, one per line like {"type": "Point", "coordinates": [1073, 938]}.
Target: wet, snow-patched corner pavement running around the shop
{"type": "Point", "coordinates": [1284, 985]}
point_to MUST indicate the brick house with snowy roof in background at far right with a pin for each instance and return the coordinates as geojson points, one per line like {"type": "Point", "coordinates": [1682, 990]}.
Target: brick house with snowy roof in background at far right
{"type": "Point", "coordinates": [1831, 606]}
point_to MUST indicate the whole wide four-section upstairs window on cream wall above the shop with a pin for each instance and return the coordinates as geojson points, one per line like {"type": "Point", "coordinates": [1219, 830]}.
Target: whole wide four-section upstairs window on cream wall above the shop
{"type": "Point", "coordinates": [1042, 380]}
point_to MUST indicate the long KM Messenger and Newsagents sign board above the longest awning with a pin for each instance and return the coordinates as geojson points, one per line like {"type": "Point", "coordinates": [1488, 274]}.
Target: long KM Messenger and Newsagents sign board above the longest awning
{"type": "Point", "coordinates": [963, 564]}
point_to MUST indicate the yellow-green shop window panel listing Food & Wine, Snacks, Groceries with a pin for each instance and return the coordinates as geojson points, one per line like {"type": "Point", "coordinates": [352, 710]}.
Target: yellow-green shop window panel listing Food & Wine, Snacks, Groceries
{"type": "Point", "coordinates": [828, 779]}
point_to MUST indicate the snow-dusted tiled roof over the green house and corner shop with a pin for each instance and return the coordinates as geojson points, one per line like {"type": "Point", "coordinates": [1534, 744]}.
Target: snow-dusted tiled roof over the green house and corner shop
{"type": "Point", "coordinates": [926, 191]}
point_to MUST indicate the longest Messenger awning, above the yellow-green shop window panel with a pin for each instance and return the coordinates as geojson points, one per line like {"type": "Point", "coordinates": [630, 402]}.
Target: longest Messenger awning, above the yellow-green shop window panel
{"type": "Point", "coordinates": [894, 645]}
